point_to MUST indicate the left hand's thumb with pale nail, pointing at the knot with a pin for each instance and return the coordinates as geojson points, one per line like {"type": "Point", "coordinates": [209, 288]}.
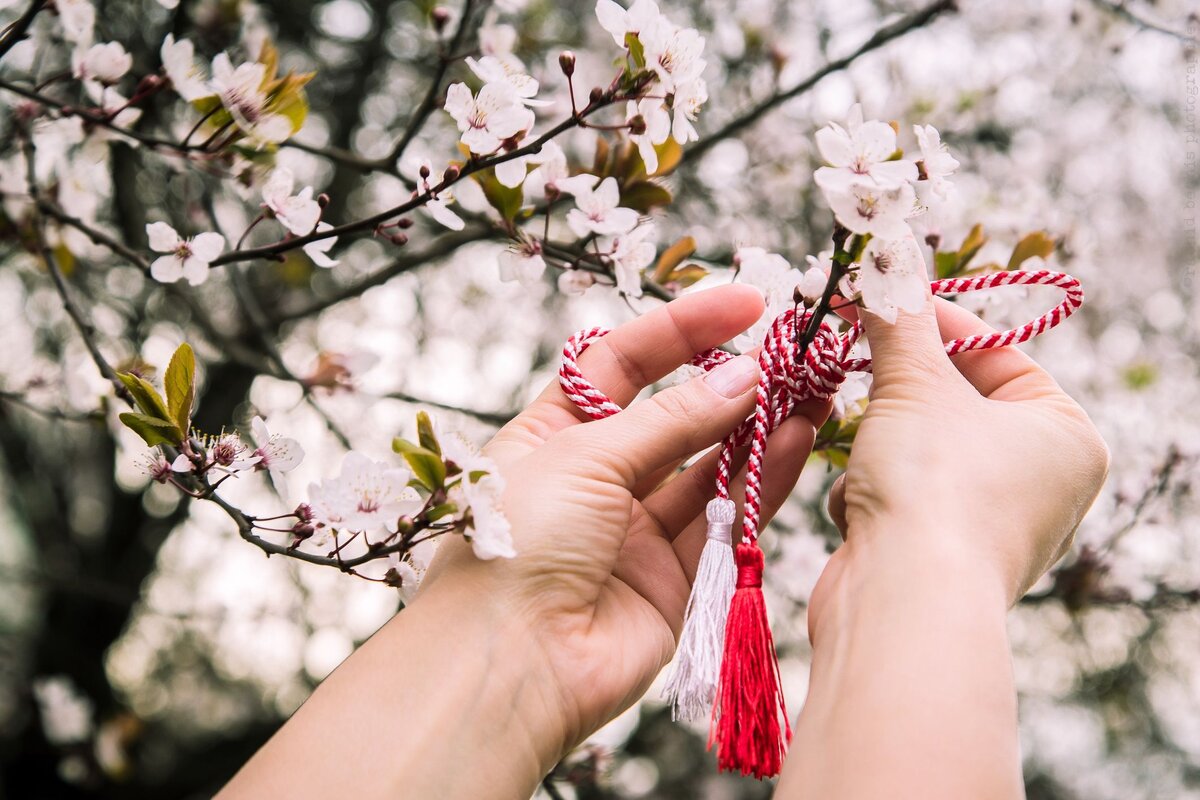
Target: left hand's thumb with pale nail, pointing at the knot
{"type": "Point", "coordinates": [676, 423]}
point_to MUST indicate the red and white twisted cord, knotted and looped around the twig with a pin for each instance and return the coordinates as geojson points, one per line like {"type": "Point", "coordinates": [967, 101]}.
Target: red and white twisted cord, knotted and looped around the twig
{"type": "Point", "coordinates": [787, 380]}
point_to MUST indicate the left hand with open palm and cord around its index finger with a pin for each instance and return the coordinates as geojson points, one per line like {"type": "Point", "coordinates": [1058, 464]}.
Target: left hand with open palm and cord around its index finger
{"type": "Point", "coordinates": [607, 551]}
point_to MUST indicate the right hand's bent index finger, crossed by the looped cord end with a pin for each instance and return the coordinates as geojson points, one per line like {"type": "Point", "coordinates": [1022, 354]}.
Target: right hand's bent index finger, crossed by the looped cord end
{"type": "Point", "coordinates": [1000, 374]}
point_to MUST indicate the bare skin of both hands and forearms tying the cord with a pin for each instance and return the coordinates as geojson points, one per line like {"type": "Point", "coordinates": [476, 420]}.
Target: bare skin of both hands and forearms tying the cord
{"type": "Point", "coordinates": [967, 483]}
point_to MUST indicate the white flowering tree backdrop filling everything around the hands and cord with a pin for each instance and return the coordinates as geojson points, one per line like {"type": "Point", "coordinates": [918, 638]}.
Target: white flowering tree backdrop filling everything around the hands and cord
{"type": "Point", "coordinates": [272, 270]}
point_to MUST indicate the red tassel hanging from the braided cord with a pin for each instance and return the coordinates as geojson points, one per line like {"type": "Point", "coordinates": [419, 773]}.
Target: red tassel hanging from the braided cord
{"type": "Point", "coordinates": [751, 726]}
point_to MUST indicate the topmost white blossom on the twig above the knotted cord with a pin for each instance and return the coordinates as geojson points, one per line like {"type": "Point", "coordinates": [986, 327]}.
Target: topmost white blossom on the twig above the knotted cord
{"type": "Point", "coordinates": [861, 154]}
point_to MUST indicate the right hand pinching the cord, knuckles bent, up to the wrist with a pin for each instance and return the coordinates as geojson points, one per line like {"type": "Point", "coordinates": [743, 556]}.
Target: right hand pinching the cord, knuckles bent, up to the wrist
{"type": "Point", "coordinates": [979, 464]}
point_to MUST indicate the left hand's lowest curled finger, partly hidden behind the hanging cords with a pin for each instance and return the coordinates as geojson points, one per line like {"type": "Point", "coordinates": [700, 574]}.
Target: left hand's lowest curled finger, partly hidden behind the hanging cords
{"type": "Point", "coordinates": [788, 452]}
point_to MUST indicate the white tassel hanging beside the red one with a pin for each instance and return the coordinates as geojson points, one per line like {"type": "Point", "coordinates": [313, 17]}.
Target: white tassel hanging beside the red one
{"type": "Point", "coordinates": [693, 687]}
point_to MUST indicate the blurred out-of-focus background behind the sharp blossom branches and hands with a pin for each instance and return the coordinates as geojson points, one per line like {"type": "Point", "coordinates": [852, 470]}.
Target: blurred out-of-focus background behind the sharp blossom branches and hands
{"type": "Point", "coordinates": [147, 652]}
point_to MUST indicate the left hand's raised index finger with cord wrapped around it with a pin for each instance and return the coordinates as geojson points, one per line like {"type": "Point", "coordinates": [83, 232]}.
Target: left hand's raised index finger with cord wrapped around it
{"type": "Point", "coordinates": [633, 357]}
